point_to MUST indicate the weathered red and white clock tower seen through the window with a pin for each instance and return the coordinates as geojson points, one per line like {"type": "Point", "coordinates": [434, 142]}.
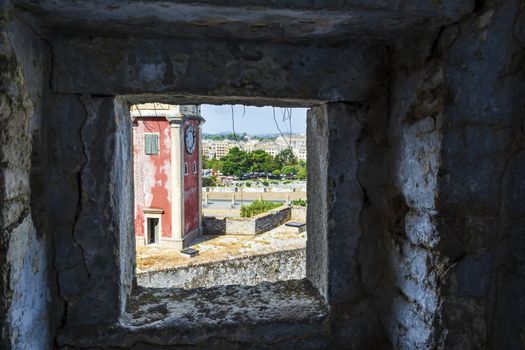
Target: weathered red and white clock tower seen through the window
{"type": "Point", "coordinates": [167, 173]}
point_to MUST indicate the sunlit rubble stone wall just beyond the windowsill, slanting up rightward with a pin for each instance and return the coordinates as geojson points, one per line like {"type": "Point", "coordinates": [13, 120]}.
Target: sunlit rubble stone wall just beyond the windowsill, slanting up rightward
{"type": "Point", "coordinates": [248, 271]}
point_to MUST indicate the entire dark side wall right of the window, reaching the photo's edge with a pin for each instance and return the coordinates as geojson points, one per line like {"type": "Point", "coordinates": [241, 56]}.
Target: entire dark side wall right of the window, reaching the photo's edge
{"type": "Point", "coordinates": [457, 135]}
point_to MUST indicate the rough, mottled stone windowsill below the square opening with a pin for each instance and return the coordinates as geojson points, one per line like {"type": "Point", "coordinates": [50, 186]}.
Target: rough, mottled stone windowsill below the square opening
{"type": "Point", "coordinates": [288, 309]}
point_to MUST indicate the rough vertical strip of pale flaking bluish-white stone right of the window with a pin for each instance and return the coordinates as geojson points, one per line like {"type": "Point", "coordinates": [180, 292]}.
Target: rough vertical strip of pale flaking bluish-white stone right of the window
{"type": "Point", "coordinates": [412, 300]}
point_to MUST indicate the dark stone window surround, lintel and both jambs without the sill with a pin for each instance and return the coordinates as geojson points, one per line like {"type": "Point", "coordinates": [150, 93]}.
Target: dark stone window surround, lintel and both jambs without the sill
{"type": "Point", "coordinates": [338, 96]}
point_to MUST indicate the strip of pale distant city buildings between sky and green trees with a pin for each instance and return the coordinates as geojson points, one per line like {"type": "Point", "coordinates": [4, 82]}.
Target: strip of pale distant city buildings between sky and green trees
{"type": "Point", "coordinates": [220, 148]}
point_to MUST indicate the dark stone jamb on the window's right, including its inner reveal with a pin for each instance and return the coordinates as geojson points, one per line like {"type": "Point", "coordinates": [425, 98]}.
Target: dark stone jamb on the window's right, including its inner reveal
{"type": "Point", "coordinates": [348, 173]}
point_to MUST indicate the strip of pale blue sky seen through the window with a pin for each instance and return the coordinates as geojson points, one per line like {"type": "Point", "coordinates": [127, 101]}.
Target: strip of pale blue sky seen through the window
{"type": "Point", "coordinates": [256, 120]}
